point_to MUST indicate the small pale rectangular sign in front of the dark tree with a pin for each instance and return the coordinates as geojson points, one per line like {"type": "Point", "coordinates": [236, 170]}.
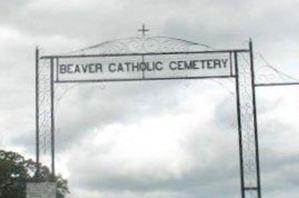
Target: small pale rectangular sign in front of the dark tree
{"type": "Point", "coordinates": [41, 190]}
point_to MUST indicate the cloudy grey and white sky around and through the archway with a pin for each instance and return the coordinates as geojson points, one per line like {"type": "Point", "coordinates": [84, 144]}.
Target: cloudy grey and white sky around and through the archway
{"type": "Point", "coordinates": [174, 139]}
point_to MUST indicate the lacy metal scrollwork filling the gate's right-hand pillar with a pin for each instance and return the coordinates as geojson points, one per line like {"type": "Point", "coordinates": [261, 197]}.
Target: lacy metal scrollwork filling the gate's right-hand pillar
{"type": "Point", "coordinates": [247, 124]}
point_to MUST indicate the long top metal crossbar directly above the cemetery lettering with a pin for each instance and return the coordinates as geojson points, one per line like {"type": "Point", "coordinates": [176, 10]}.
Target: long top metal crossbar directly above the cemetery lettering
{"type": "Point", "coordinates": [142, 54]}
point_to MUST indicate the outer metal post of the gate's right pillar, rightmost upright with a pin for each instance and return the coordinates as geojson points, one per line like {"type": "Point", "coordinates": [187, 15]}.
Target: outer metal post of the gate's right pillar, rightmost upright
{"type": "Point", "coordinates": [255, 119]}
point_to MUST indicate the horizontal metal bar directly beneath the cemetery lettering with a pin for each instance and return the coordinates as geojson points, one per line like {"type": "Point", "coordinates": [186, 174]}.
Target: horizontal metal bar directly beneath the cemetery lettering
{"type": "Point", "coordinates": [139, 79]}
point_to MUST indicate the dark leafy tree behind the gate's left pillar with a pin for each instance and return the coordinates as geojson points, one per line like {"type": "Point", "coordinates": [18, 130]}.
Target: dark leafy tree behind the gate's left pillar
{"type": "Point", "coordinates": [15, 171]}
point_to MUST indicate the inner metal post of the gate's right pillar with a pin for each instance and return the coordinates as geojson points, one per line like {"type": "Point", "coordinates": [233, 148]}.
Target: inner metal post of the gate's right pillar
{"type": "Point", "coordinates": [239, 125]}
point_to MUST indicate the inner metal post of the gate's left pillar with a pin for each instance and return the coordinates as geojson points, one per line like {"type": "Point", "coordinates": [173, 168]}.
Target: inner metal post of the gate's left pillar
{"type": "Point", "coordinates": [52, 118]}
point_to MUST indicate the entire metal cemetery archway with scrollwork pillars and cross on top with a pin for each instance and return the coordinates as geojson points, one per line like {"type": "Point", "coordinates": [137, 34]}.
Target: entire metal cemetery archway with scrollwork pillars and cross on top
{"type": "Point", "coordinates": [153, 58]}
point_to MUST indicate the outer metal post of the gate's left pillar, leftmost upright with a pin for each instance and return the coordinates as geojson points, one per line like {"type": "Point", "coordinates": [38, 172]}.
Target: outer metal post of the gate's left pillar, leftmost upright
{"type": "Point", "coordinates": [37, 111]}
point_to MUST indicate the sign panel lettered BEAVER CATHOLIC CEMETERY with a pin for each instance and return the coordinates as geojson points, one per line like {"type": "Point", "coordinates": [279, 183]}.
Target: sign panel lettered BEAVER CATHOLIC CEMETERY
{"type": "Point", "coordinates": [142, 67]}
